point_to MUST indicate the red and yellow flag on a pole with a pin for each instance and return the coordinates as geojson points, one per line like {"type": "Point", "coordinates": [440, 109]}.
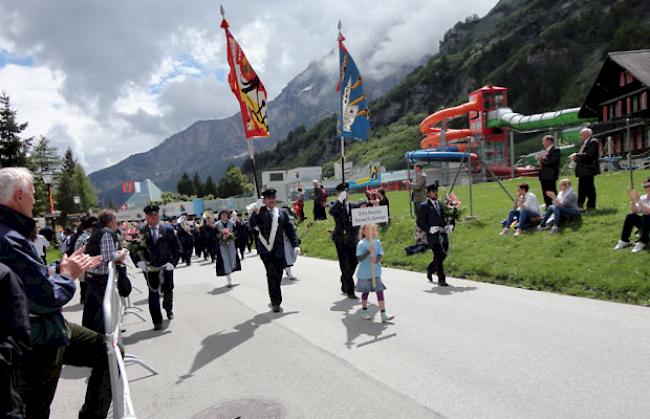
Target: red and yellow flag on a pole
{"type": "Point", "coordinates": [247, 87]}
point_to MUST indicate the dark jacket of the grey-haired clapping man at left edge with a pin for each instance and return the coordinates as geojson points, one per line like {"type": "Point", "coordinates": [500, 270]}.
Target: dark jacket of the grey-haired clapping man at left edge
{"type": "Point", "coordinates": [46, 294]}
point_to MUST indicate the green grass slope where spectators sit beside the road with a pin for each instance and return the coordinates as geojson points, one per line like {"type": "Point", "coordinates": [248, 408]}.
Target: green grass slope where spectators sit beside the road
{"type": "Point", "coordinates": [578, 261]}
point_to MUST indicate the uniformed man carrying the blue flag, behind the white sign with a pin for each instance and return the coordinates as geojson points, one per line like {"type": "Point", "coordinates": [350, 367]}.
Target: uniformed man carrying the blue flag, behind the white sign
{"type": "Point", "coordinates": [345, 238]}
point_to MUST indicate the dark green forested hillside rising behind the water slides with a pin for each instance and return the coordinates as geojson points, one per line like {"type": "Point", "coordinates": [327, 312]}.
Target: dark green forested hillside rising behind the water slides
{"type": "Point", "coordinates": [547, 52]}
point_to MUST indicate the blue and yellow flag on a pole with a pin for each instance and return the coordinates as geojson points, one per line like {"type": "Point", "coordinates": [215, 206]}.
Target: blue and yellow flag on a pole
{"type": "Point", "coordinates": [354, 118]}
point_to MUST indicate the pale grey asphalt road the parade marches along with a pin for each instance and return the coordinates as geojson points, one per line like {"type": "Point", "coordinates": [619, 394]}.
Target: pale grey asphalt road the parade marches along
{"type": "Point", "coordinates": [472, 350]}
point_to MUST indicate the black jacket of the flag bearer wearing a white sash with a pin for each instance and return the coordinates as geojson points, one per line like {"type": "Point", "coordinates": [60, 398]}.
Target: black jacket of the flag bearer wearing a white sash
{"type": "Point", "coordinates": [262, 222]}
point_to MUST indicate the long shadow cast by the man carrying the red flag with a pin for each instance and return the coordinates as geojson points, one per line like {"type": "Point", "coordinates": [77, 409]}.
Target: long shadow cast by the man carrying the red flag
{"type": "Point", "coordinates": [214, 346]}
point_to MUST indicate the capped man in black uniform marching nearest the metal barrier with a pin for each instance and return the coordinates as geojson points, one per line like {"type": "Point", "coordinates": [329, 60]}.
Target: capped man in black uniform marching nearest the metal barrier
{"type": "Point", "coordinates": [160, 255]}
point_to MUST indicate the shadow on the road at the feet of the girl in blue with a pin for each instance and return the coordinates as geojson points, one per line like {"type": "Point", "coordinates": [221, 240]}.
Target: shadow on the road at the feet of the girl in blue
{"type": "Point", "coordinates": [356, 326]}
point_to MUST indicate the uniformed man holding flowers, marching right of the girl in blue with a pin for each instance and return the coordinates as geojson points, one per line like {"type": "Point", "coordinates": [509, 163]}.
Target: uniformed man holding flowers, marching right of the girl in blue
{"type": "Point", "coordinates": [431, 218]}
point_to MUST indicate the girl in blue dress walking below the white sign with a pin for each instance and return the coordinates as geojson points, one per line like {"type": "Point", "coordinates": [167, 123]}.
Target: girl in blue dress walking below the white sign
{"type": "Point", "coordinates": [369, 254]}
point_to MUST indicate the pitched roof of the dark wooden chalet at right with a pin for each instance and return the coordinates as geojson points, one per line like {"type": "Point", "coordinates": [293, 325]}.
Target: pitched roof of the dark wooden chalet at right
{"type": "Point", "coordinates": [637, 62]}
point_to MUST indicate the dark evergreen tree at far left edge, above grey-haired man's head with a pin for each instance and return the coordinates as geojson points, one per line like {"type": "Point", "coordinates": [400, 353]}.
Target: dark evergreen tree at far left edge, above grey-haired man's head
{"type": "Point", "coordinates": [13, 149]}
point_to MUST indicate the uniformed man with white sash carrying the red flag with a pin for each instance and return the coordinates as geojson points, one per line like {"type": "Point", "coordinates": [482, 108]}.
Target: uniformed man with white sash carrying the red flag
{"type": "Point", "coordinates": [271, 224]}
